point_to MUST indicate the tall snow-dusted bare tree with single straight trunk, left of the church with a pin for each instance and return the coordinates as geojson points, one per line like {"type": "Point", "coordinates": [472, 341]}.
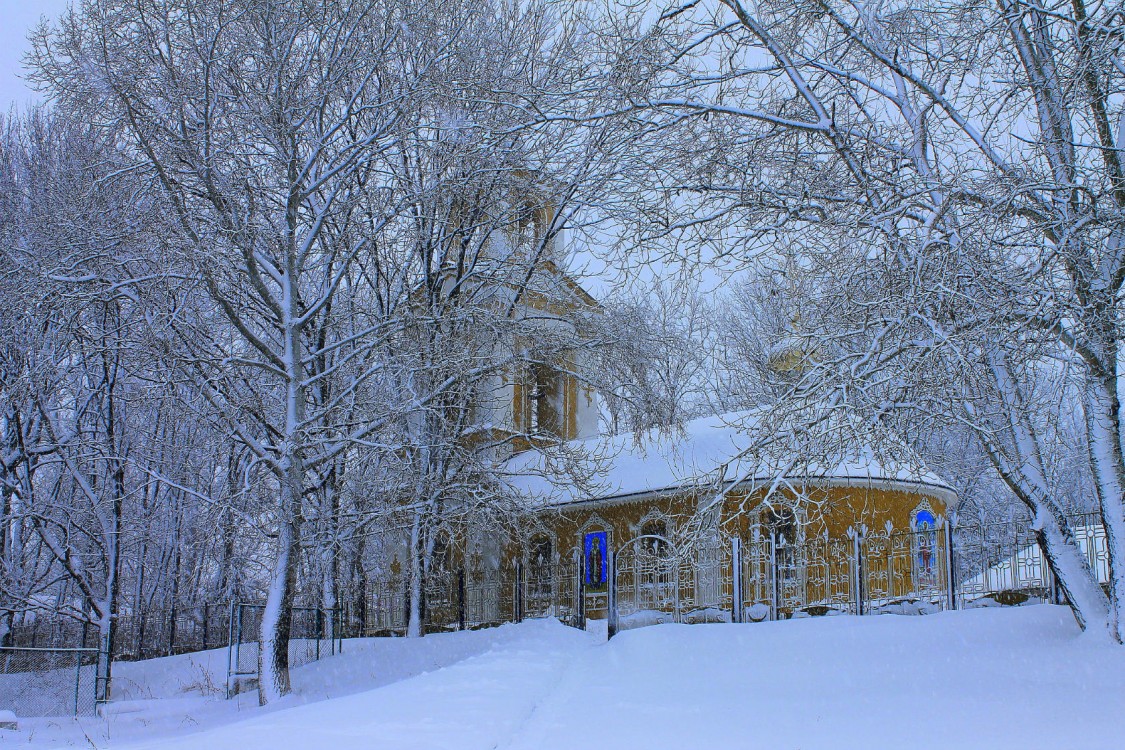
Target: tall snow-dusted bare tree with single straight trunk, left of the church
{"type": "Point", "coordinates": [265, 128]}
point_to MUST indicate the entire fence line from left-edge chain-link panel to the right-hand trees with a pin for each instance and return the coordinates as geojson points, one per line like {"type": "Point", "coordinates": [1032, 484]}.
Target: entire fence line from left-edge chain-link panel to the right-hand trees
{"type": "Point", "coordinates": [52, 666]}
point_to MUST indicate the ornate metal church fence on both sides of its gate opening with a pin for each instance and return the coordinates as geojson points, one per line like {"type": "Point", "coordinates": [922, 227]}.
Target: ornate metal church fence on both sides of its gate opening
{"type": "Point", "coordinates": [920, 571]}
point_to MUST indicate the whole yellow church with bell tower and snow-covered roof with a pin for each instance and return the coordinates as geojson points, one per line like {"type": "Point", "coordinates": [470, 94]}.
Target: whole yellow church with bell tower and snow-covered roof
{"type": "Point", "coordinates": [694, 523]}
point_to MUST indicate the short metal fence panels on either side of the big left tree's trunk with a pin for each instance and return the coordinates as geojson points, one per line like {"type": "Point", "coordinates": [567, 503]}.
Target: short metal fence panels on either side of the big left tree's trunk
{"type": "Point", "coordinates": [313, 635]}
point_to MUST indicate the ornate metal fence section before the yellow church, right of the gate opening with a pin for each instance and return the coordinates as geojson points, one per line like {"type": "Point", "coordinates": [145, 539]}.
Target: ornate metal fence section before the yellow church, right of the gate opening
{"type": "Point", "coordinates": [941, 566]}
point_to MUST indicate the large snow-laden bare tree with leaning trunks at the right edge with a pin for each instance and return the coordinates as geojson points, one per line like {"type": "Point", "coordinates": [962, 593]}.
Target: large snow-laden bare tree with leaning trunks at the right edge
{"type": "Point", "coordinates": [951, 175]}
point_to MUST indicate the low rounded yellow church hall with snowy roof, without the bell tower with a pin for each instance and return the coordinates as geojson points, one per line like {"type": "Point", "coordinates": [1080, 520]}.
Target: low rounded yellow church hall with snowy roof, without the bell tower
{"type": "Point", "coordinates": [695, 528]}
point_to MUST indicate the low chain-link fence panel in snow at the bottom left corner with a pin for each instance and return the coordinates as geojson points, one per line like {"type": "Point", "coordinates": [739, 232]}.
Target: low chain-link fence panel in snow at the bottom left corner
{"type": "Point", "coordinates": [49, 682]}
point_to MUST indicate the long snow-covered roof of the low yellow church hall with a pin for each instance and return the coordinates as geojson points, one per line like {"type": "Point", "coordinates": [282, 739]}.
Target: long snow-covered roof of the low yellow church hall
{"type": "Point", "coordinates": [709, 451]}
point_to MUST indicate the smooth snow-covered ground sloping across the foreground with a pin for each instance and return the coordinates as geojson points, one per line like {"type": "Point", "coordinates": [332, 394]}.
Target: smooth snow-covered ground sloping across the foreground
{"type": "Point", "coordinates": [987, 679]}
